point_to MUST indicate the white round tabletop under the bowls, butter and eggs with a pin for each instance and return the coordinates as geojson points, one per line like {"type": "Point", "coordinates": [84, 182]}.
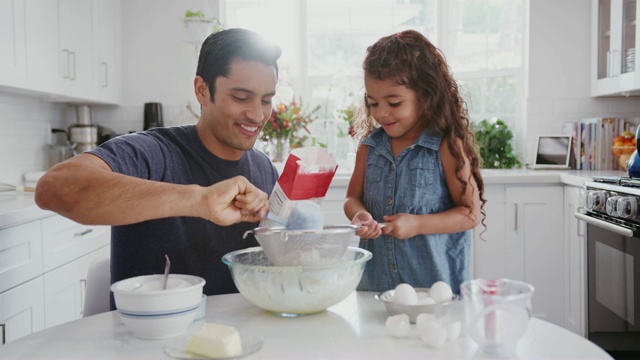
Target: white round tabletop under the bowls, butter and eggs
{"type": "Point", "coordinates": [352, 329]}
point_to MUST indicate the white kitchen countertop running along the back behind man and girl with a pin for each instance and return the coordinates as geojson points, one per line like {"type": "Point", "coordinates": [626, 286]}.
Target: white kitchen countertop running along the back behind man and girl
{"type": "Point", "coordinates": [17, 208]}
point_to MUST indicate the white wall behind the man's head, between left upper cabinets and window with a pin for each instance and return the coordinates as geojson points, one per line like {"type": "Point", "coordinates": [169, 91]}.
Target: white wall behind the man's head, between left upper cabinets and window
{"type": "Point", "coordinates": [158, 65]}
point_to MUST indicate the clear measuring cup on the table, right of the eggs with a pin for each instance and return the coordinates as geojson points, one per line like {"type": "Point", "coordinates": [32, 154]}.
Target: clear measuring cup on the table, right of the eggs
{"type": "Point", "coordinates": [498, 312]}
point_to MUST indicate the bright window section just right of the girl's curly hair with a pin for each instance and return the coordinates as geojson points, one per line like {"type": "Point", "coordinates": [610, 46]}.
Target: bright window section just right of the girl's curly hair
{"type": "Point", "coordinates": [484, 47]}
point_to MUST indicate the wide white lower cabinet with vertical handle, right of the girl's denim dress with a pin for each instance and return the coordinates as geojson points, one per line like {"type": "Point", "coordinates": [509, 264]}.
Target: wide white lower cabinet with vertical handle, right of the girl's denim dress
{"type": "Point", "coordinates": [524, 241]}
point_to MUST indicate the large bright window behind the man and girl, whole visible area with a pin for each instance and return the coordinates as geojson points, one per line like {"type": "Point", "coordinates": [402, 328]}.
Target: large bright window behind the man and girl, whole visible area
{"type": "Point", "coordinates": [324, 43]}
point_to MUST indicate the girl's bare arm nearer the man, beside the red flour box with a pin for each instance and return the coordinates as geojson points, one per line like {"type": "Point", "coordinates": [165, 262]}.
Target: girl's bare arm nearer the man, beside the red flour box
{"type": "Point", "coordinates": [353, 206]}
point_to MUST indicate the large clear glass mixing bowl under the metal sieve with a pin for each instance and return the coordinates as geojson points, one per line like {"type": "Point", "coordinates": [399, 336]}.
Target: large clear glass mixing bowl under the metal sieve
{"type": "Point", "coordinates": [295, 290]}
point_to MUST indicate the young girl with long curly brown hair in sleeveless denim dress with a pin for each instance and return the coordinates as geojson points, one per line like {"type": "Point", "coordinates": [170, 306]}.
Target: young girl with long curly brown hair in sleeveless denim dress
{"type": "Point", "coordinates": [416, 171]}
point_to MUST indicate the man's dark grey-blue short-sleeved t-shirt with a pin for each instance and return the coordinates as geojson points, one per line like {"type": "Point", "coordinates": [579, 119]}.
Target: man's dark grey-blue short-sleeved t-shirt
{"type": "Point", "coordinates": [194, 245]}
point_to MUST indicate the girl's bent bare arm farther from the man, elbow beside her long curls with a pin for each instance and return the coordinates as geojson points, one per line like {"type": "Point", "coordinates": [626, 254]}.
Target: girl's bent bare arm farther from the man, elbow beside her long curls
{"type": "Point", "coordinates": [464, 216]}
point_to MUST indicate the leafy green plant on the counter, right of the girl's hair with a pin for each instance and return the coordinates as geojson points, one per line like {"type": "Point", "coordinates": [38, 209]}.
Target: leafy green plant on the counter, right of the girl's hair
{"type": "Point", "coordinates": [494, 142]}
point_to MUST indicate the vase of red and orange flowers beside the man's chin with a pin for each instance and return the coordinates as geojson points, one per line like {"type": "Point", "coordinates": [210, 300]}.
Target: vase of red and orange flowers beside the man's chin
{"type": "Point", "coordinates": [285, 128]}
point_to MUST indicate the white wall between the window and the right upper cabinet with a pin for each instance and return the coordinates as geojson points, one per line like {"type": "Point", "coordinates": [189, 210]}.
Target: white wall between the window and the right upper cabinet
{"type": "Point", "coordinates": [559, 72]}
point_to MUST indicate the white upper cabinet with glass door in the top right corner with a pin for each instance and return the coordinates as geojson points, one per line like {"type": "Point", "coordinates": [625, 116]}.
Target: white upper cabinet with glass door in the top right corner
{"type": "Point", "coordinates": [614, 43]}
